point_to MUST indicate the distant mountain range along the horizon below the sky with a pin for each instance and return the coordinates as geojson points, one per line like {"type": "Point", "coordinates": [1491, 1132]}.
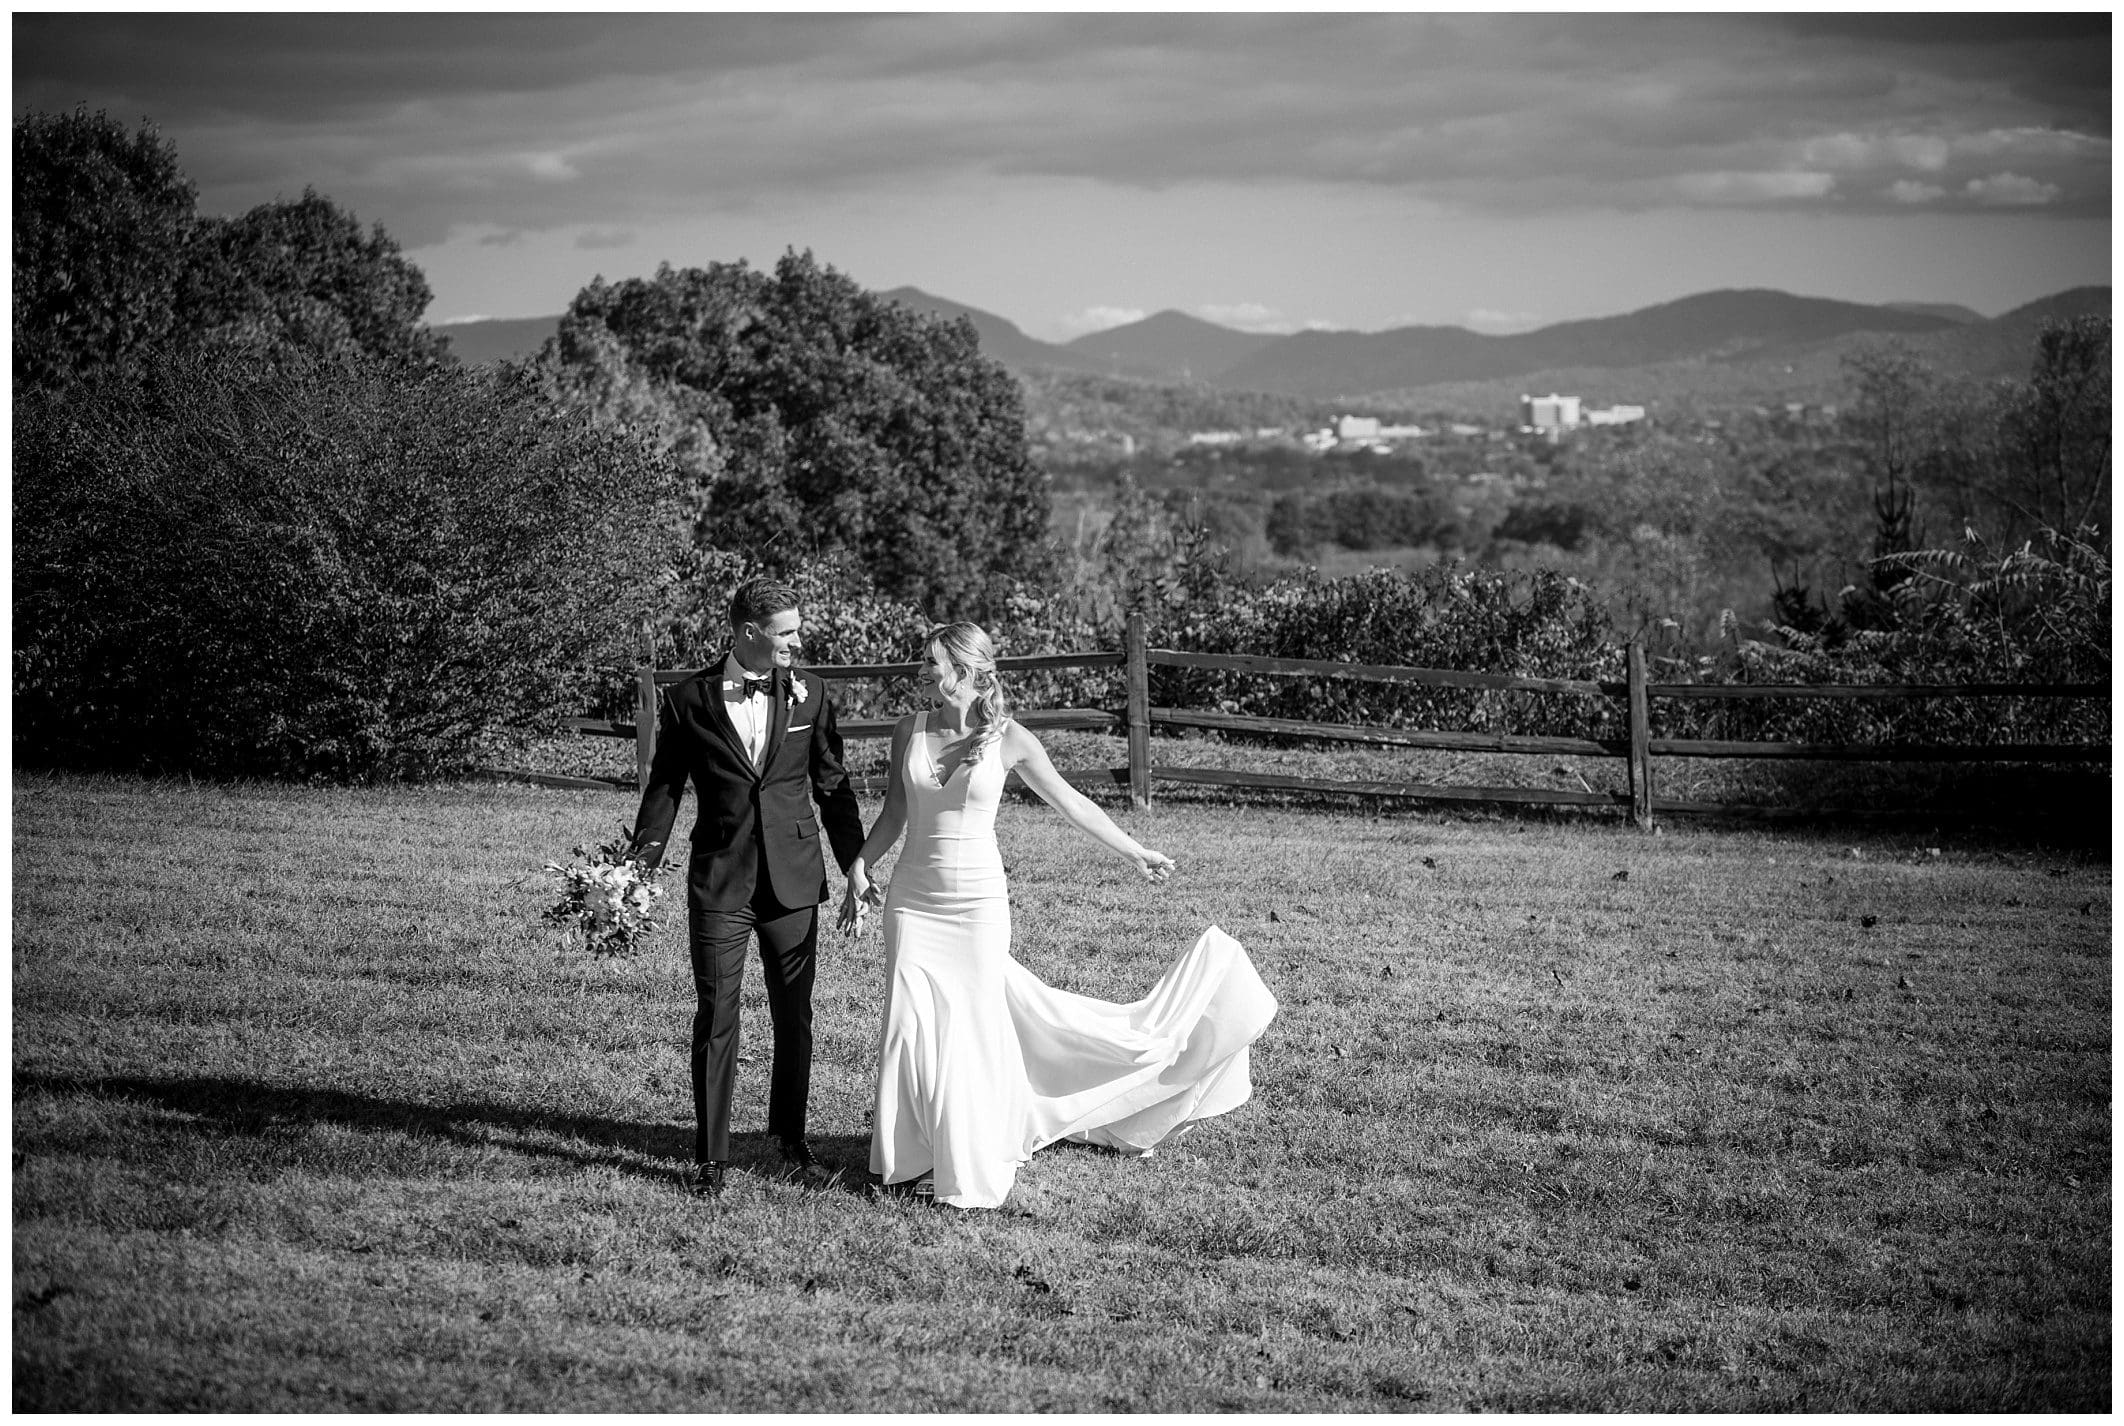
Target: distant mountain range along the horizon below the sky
{"type": "Point", "coordinates": [1734, 341]}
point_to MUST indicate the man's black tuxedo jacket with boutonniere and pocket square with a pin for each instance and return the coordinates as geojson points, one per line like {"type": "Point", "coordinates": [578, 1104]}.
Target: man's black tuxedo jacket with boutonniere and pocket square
{"type": "Point", "coordinates": [751, 819]}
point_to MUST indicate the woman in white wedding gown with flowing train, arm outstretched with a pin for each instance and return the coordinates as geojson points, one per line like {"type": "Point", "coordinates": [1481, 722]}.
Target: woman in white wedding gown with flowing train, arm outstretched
{"type": "Point", "coordinates": [980, 1064]}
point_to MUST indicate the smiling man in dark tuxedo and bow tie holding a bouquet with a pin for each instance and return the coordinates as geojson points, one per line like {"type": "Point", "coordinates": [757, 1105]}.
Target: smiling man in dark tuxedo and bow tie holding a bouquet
{"type": "Point", "coordinates": [753, 732]}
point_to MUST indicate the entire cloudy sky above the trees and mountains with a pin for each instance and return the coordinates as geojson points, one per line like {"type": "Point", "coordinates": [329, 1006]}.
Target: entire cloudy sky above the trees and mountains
{"type": "Point", "coordinates": [1076, 171]}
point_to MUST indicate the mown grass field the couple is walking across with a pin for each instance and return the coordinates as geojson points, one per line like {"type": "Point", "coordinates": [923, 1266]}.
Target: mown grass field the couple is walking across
{"type": "Point", "coordinates": [309, 1115]}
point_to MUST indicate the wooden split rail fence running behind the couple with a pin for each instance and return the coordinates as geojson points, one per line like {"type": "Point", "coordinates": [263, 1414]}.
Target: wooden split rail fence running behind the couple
{"type": "Point", "coordinates": [1637, 692]}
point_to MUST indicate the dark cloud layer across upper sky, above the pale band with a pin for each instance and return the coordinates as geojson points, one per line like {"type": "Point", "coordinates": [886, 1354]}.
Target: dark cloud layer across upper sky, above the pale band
{"type": "Point", "coordinates": [536, 122]}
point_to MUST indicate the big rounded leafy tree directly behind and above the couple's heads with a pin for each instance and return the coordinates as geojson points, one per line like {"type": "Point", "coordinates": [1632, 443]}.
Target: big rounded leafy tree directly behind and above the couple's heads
{"type": "Point", "coordinates": [821, 420]}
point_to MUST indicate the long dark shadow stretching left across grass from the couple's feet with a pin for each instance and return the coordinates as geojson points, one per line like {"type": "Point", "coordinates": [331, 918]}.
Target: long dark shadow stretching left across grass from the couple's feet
{"type": "Point", "coordinates": [262, 1113]}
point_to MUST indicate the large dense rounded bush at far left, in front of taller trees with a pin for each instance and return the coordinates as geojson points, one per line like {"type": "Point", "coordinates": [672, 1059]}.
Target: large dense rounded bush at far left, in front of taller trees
{"type": "Point", "coordinates": [330, 571]}
